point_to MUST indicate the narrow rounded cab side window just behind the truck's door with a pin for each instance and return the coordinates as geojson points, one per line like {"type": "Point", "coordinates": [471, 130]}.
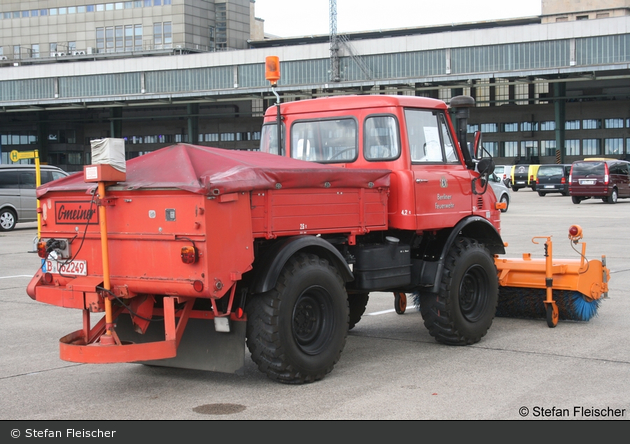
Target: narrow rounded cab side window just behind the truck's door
{"type": "Point", "coordinates": [380, 138]}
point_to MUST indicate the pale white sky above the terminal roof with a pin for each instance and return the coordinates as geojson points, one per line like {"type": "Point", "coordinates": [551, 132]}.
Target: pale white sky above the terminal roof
{"type": "Point", "coordinates": [296, 18]}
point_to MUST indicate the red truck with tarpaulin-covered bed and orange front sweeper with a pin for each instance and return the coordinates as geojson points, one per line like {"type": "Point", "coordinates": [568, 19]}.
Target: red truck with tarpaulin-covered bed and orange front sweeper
{"type": "Point", "coordinates": [276, 251]}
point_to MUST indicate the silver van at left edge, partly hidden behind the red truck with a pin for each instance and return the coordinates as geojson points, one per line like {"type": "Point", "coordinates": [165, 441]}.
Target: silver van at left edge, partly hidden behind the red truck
{"type": "Point", "coordinates": [18, 202]}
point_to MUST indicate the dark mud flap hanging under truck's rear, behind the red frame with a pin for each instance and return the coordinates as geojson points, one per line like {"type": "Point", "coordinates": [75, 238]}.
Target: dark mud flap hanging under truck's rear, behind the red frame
{"type": "Point", "coordinates": [201, 347]}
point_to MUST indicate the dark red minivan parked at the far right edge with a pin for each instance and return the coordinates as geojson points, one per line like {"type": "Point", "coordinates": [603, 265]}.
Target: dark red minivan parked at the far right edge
{"type": "Point", "coordinates": [607, 179]}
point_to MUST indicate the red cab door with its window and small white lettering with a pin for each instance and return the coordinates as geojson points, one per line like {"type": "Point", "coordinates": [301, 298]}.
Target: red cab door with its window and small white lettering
{"type": "Point", "coordinates": [441, 182]}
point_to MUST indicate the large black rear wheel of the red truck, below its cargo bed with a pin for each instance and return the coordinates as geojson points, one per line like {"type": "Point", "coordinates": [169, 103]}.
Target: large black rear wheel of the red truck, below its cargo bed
{"type": "Point", "coordinates": [297, 331]}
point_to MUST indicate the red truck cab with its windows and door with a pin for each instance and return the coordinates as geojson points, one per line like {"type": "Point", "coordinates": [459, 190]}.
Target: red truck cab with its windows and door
{"type": "Point", "coordinates": [412, 136]}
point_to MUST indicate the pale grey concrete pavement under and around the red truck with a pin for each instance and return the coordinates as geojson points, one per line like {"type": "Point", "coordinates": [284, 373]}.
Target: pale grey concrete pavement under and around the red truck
{"type": "Point", "coordinates": [390, 369]}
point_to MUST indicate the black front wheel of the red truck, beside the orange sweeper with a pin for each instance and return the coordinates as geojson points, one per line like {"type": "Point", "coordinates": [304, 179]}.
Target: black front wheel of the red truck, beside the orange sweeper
{"type": "Point", "coordinates": [463, 310]}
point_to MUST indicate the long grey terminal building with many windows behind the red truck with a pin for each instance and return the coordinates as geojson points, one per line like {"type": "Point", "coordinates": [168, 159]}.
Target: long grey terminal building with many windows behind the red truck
{"type": "Point", "coordinates": [548, 88]}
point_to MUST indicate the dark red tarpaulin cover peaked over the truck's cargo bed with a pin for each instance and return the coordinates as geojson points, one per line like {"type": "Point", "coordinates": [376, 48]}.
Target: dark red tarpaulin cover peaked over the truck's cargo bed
{"type": "Point", "coordinates": [205, 170]}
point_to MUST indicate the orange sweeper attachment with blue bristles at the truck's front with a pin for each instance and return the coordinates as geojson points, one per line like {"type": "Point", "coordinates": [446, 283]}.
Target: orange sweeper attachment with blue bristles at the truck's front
{"type": "Point", "coordinates": [551, 289]}
